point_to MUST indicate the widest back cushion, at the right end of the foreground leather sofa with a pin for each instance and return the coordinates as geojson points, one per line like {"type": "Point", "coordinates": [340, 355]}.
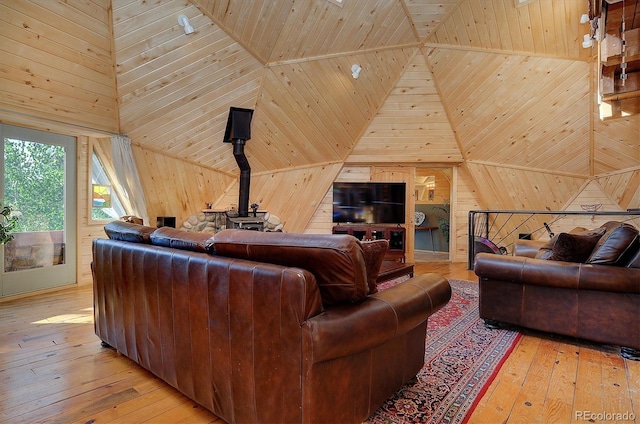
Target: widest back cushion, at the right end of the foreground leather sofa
{"type": "Point", "coordinates": [336, 261]}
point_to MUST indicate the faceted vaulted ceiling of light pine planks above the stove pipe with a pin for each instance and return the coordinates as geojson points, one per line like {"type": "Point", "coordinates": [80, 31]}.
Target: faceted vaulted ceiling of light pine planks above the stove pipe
{"type": "Point", "coordinates": [492, 82]}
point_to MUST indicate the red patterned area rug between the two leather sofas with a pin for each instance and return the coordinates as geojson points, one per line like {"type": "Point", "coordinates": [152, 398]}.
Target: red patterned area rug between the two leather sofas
{"type": "Point", "coordinates": [462, 357]}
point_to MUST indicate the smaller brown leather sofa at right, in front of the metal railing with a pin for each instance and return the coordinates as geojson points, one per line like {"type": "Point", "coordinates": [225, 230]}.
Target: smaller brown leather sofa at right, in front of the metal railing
{"type": "Point", "coordinates": [583, 284]}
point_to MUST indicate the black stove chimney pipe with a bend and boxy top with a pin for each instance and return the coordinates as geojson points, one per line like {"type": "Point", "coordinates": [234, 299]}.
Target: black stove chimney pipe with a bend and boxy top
{"type": "Point", "coordinates": [238, 131]}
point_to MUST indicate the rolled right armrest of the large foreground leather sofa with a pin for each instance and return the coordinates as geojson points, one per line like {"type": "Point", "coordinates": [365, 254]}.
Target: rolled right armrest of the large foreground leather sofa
{"type": "Point", "coordinates": [350, 329]}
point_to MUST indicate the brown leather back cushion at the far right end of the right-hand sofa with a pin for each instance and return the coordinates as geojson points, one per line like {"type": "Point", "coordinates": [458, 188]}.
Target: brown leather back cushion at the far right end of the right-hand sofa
{"type": "Point", "coordinates": [615, 245]}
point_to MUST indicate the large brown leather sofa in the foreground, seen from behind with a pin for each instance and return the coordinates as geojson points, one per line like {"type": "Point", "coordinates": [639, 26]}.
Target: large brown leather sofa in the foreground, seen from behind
{"type": "Point", "coordinates": [262, 327]}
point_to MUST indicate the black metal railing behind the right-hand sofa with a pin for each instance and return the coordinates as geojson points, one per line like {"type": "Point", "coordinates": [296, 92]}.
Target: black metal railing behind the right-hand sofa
{"type": "Point", "coordinates": [497, 231]}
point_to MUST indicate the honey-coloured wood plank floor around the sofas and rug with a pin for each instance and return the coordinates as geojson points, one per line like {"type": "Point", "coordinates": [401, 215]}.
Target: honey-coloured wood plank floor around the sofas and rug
{"type": "Point", "coordinates": [53, 369]}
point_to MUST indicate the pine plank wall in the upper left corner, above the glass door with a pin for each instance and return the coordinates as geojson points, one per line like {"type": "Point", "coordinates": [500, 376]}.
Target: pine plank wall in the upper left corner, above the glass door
{"type": "Point", "coordinates": [57, 66]}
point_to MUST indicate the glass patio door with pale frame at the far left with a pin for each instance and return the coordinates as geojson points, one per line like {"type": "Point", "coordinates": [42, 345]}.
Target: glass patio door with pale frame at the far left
{"type": "Point", "coordinates": [39, 183]}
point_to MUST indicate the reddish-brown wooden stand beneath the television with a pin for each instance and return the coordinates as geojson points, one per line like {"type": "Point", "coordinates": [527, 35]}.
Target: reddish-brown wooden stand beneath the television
{"type": "Point", "coordinates": [363, 232]}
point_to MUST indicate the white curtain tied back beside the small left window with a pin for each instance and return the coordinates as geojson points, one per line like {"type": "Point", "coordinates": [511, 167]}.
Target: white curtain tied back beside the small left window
{"type": "Point", "coordinates": [127, 175]}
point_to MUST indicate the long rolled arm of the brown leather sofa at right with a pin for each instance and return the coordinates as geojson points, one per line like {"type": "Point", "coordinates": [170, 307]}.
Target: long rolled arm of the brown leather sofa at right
{"type": "Point", "coordinates": [570, 275]}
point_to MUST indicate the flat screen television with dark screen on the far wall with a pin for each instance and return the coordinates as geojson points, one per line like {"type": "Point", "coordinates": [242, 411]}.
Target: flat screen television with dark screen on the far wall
{"type": "Point", "coordinates": [369, 203]}
